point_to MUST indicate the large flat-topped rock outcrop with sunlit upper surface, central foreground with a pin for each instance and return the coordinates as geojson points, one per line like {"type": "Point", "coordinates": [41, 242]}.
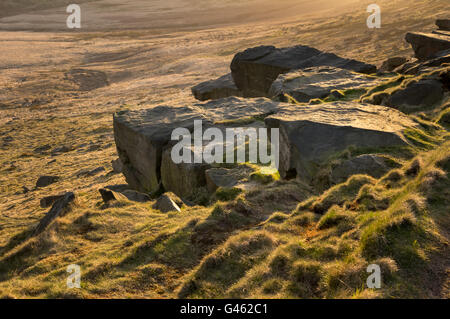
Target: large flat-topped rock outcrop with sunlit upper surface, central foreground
{"type": "Point", "coordinates": [308, 136]}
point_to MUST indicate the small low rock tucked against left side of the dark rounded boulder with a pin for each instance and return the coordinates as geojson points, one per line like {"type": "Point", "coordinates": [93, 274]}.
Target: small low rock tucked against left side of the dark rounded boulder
{"type": "Point", "coordinates": [216, 89]}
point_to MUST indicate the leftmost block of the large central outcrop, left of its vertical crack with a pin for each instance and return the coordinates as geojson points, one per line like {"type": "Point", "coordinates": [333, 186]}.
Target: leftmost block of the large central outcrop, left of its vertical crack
{"type": "Point", "coordinates": [140, 137]}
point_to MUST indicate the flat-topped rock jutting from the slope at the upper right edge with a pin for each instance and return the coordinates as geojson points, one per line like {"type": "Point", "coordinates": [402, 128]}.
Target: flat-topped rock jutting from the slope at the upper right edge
{"type": "Point", "coordinates": [425, 45]}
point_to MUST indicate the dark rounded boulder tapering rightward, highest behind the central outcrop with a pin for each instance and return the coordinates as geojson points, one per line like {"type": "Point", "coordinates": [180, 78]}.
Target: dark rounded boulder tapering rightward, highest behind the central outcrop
{"type": "Point", "coordinates": [255, 69]}
